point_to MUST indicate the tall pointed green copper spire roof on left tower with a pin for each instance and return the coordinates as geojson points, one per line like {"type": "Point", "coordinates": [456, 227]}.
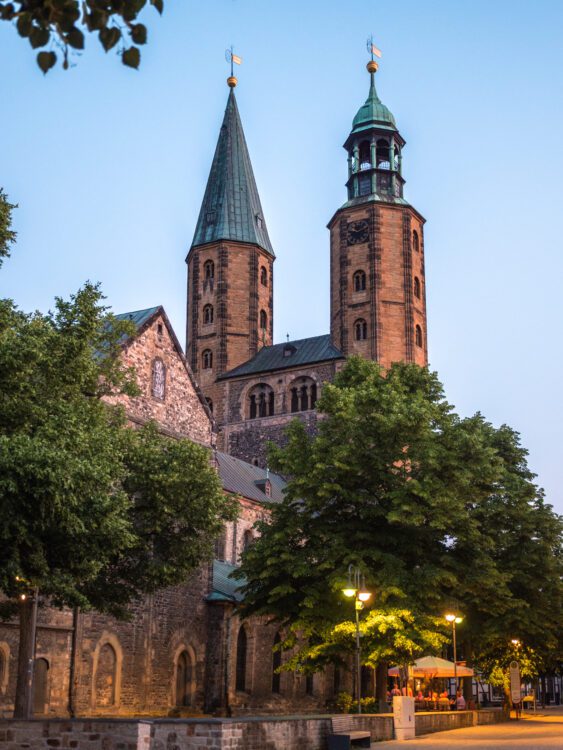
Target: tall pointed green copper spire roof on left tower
{"type": "Point", "coordinates": [231, 207]}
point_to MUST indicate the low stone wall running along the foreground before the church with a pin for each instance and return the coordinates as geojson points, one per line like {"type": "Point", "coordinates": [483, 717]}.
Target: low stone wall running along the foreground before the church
{"type": "Point", "coordinates": [256, 733]}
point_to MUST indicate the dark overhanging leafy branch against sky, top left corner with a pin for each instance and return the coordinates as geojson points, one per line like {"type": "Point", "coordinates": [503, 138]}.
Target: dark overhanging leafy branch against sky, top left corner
{"type": "Point", "coordinates": [61, 23]}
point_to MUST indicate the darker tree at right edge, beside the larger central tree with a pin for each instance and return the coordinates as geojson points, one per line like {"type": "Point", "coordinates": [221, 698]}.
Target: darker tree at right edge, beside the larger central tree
{"type": "Point", "coordinates": [517, 548]}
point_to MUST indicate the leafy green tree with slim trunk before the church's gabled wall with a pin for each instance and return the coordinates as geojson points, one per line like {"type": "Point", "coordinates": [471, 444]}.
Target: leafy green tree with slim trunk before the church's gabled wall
{"type": "Point", "coordinates": [94, 513]}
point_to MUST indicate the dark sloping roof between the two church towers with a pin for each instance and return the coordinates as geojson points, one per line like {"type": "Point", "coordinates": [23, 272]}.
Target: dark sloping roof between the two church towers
{"type": "Point", "coordinates": [289, 354]}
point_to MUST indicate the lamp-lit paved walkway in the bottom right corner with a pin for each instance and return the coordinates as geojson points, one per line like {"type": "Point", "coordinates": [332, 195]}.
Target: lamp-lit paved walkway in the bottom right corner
{"type": "Point", "coordinates": [542, 731]}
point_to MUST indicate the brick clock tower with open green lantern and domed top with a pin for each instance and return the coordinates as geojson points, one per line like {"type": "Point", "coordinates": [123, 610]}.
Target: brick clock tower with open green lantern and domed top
{"type": "Point", "coordinates": [378, 307]}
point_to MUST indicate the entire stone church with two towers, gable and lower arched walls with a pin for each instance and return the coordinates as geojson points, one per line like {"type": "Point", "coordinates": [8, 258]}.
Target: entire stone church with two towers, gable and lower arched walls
{"type": "Point", "coordinates": [184, 650]}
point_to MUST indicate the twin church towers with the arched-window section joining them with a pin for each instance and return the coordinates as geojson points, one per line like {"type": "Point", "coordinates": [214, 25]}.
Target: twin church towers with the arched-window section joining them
{"type": "Point", "coordinates": [377, 284]}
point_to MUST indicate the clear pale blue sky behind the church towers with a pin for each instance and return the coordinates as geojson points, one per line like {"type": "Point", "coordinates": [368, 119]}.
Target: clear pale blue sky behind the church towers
{"type": "Point", "coordinates": [109, 166]}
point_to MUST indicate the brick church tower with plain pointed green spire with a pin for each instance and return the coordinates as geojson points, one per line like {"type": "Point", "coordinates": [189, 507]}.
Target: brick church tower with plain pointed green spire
{"type": "Point", "coordinates": [230, 265]}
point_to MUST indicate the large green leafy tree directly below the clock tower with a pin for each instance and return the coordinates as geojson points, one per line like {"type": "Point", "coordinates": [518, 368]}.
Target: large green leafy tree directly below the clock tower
{"type": "Point", "coordinates": [383, 485]}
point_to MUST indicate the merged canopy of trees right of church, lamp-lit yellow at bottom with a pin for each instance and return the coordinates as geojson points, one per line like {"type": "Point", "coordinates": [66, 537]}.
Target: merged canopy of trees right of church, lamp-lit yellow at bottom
{"type": "Point", "coordinates": [429, 505]}
